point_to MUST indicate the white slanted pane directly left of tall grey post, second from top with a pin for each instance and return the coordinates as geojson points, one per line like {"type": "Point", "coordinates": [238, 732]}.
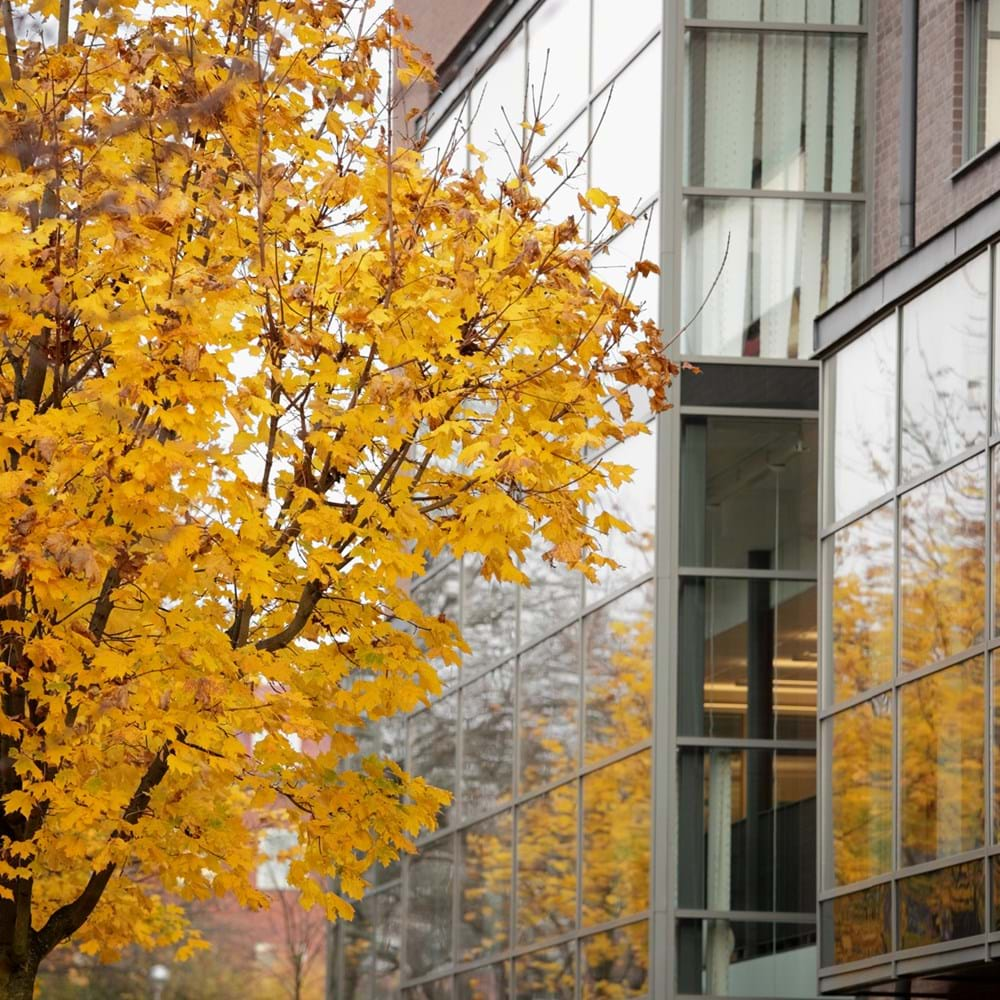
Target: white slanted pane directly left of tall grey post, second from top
{"type": "Point", "coordinates": [625, 154]}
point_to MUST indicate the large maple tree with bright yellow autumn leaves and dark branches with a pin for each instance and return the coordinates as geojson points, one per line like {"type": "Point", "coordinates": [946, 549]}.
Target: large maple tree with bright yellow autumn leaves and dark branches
{"type": "Point", "coordinates": [259, 361]}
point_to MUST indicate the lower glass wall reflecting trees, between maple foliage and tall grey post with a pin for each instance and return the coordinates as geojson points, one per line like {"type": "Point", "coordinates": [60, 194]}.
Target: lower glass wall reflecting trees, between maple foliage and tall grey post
{"type": "Point", "coordinates": [538, 879]}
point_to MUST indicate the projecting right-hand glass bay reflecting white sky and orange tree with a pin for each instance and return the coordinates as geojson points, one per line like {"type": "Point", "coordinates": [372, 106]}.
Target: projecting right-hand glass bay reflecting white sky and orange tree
{"type": "Point", "coordinates": [909, 725]}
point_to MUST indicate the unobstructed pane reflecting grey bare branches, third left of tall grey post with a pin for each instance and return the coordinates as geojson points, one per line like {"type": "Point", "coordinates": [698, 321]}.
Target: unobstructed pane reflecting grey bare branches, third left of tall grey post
{"type": "Point", "coordinates": [488, 740]}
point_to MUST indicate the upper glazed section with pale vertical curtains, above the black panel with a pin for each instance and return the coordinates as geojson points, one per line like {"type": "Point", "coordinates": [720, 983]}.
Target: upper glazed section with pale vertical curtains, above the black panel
{"type": "Point", "coordinates": [774, 127]}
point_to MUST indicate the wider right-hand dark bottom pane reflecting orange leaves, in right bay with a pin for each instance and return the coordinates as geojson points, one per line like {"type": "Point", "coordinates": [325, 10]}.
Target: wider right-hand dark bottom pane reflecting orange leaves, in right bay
{"type": "Point", "coordinates": [942, 906]}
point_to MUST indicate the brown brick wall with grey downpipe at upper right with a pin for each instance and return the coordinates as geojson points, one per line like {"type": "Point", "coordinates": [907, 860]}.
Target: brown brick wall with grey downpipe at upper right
{"type": "Point", "coordinates": [940, 199]}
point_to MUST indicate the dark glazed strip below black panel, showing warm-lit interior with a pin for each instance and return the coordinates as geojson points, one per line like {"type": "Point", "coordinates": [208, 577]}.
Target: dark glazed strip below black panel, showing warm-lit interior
{"type": "Point", "coordinates": [746, 703]}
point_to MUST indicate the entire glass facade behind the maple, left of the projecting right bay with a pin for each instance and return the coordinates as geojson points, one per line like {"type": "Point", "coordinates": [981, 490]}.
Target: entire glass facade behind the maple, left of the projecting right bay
{"type": "Point", "coordinates": [633, 760]}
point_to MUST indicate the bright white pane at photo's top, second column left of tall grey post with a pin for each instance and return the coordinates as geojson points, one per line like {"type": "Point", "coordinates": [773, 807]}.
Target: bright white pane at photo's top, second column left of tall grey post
{"type": "Point", "coordinates": [558, 37]}
